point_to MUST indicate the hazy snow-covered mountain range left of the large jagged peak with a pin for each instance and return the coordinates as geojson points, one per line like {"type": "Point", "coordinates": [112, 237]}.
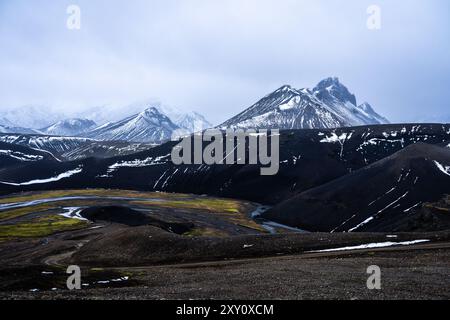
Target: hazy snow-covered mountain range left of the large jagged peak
{"type": "Point", "coordinates": [152, 125]}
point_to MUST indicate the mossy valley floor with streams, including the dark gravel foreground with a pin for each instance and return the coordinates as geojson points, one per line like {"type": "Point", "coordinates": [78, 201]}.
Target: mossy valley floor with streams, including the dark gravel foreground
{"type": "Point", "coordinates": [172, 246]}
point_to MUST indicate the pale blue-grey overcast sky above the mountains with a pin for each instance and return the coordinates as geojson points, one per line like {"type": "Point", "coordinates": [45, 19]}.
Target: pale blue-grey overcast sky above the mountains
{"type": "Point", "coordinates": [220, 56]}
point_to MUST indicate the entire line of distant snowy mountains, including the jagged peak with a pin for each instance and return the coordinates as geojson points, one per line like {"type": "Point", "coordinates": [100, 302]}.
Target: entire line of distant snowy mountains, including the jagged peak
{"type": "Point", "coordinates": [328, 105]}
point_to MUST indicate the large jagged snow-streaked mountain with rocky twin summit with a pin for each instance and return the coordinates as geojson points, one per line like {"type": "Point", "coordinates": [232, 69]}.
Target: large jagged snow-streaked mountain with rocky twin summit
{"type": "Point", "coordinates": [328, 105]}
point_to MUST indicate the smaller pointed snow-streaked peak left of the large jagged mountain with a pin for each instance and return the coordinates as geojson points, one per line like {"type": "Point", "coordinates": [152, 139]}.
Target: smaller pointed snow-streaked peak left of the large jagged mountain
{"type": "Point", "coordinates": [149, 126]}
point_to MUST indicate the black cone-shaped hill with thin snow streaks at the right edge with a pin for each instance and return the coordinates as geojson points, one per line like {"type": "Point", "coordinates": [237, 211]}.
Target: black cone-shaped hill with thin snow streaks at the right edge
{"type": "Point", "coordinates": [375, 197]}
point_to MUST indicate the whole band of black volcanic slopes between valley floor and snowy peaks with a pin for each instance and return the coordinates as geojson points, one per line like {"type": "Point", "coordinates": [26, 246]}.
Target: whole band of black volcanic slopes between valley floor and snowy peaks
{"type": "Point", "coordinates": [309, 159]}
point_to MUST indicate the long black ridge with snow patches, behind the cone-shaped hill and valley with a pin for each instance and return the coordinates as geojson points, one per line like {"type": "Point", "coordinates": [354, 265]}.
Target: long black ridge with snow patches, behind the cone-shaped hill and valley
{"type": "Point", "coordinates": [308, 159]}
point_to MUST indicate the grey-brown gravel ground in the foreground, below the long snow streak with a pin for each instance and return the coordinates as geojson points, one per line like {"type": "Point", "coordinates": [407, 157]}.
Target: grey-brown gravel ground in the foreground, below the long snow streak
{"type": "Point", "coordinates": [407, 273]}
